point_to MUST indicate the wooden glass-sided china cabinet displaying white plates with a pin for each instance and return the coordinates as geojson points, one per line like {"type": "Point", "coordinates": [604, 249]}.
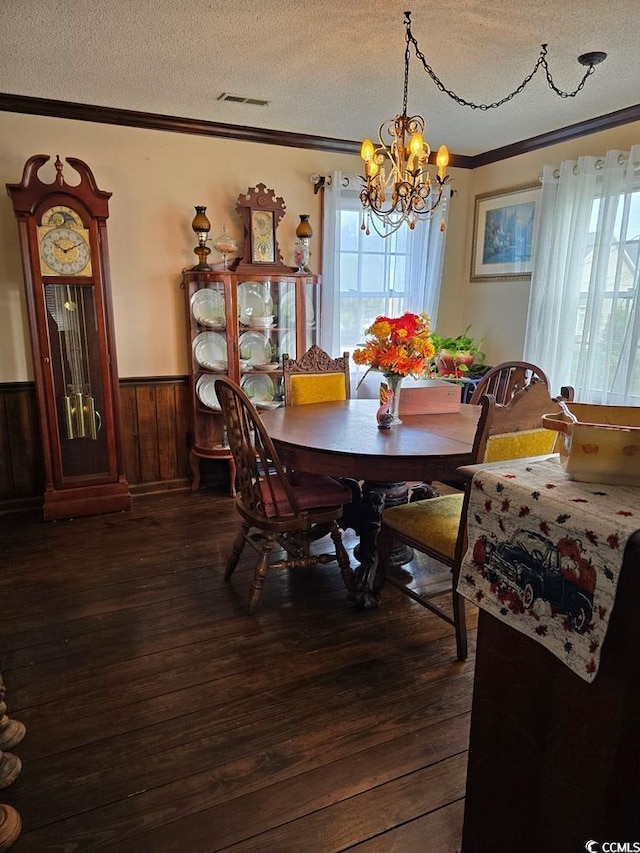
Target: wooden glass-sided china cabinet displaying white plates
{"type": "Point", "coordinates": [240, 322]}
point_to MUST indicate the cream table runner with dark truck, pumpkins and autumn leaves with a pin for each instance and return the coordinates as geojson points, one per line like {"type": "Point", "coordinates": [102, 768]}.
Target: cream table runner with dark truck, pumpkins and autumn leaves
{"type": "Point", "coordinates": [544, 555]}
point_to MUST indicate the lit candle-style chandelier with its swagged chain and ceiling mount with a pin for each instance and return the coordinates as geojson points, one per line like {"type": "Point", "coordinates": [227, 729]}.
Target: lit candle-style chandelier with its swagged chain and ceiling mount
{"type": "Point", "coordinates": [398, 187]}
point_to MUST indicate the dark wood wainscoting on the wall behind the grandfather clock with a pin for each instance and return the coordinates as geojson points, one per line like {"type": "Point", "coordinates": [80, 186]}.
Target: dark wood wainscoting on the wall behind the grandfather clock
{"type": "Point", "coordinates": [155, 435]}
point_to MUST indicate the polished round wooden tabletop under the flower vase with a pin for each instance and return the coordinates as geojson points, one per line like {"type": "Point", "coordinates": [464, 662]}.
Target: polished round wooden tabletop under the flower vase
{"type": "Point", "coordinates": [343, 439]}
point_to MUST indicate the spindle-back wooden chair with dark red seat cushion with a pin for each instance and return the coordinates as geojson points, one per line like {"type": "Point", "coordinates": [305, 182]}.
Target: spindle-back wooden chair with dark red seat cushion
{"type": "Point", "coordinates": [277, 508]}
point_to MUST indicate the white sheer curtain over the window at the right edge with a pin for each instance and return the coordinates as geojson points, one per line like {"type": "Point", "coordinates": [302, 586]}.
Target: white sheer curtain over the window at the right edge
{"type": "Point", "coordinates": [583, 324]}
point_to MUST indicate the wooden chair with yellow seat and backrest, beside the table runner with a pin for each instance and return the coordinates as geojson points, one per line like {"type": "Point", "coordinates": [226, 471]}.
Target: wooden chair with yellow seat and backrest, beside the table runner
{"type": "Point", "coordinates": [437, 526]}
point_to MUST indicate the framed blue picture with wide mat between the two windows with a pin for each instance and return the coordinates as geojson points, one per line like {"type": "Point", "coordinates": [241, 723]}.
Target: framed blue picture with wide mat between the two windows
{"type": "Point", "coordinates": [503, 233]}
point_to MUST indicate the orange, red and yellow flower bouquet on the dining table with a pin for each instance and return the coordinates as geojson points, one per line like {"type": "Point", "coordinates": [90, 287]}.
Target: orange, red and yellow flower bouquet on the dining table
{"type": "Point", "coordinates": [400, 345]}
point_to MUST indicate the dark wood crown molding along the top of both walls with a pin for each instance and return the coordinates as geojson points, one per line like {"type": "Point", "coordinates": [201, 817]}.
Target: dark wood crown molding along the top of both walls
{"type": "Point", "coordinates": [176, 124]}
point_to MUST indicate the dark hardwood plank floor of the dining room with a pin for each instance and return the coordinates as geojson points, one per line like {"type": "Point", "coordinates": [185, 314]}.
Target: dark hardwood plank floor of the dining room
{"type": "Point", "coordinates": [161, 718]}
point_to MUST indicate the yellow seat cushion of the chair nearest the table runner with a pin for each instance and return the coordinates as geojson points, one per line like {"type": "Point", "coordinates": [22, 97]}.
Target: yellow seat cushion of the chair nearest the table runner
{"type": "Point", "coordinates": [434, 521]}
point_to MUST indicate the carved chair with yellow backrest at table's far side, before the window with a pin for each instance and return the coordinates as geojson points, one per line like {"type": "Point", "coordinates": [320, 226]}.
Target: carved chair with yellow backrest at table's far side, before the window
{"type": "Point", "coordinates": [315, 378]}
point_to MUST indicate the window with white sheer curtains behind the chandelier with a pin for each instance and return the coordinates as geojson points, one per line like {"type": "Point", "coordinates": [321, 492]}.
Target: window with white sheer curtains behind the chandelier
{"type": "Point", "coordinates": [408, 281]}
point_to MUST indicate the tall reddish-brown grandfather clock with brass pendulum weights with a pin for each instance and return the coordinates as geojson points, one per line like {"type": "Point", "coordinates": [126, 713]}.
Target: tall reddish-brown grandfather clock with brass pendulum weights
{"type": "Point", "coordinates": [63, 240]}
